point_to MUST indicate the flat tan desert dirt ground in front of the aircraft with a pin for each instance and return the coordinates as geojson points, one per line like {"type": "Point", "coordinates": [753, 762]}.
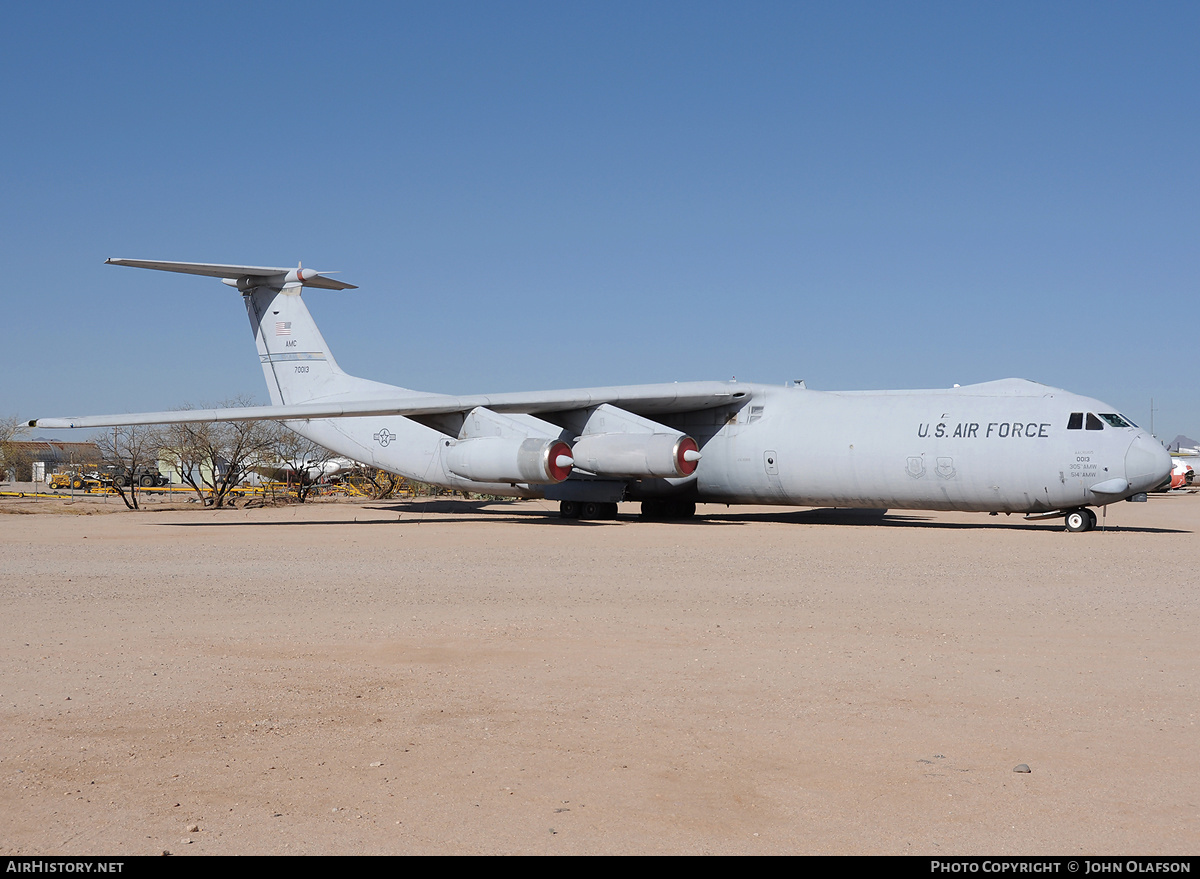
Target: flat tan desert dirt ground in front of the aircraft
{"type": "Point", "coordinates": [463, 678]}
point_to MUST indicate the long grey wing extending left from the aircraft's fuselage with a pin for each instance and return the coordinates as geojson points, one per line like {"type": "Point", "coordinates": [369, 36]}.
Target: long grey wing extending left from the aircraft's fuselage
{"type": "Point", "coordinates": [640, 399]}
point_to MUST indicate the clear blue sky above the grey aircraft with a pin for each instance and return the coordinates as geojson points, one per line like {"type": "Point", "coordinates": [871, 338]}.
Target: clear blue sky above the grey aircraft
{"type": "Point", "coordinates": [560, 195]}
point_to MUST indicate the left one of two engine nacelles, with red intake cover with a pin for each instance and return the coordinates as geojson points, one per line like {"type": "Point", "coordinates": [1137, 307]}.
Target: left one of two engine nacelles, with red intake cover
{"type": "Point", "coordinates": [502, 459]}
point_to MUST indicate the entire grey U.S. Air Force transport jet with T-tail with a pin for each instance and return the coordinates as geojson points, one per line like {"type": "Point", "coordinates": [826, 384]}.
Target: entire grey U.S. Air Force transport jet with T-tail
{"type": "Point", "coordinates": [1011, 446]}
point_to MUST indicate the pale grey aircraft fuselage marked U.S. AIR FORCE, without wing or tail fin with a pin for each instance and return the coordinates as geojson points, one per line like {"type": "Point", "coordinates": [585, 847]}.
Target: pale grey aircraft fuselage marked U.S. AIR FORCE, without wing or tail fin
{"type": "Point", "coordinates": [997, 447]}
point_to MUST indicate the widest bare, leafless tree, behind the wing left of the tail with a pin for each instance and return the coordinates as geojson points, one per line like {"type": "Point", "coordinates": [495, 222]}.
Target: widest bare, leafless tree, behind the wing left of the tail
{"type": "Point", "coordinates": [215, 457]}
